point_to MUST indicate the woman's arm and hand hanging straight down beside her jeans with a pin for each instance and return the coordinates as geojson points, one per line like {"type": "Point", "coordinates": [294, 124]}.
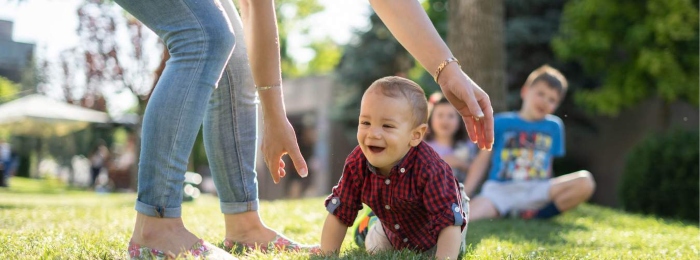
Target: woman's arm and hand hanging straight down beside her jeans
{"type": "Point", "coordinates": [262, 40]}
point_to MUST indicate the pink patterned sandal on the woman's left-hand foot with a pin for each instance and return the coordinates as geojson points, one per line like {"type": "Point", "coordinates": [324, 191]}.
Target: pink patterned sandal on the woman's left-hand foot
{"type": "Point", "coordinates": [200, 250]}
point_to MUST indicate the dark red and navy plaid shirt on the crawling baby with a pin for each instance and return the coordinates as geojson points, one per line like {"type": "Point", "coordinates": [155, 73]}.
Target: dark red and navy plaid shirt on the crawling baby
{"type": "Point", "coordinates": [414, 203]}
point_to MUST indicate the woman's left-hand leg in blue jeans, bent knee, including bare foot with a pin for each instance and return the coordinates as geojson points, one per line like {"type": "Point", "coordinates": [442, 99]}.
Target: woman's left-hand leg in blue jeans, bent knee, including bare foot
{"type": "Point", "coordinates": [200, 40]}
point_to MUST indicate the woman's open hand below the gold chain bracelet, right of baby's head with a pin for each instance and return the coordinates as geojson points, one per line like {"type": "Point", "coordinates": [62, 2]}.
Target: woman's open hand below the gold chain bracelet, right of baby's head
{"type": "Point", "coordinates": [471, 102]}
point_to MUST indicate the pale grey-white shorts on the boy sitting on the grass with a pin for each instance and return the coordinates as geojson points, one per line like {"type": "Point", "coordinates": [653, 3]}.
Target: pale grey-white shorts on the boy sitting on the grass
{"type": "Point", "coordinates": [521, 195]}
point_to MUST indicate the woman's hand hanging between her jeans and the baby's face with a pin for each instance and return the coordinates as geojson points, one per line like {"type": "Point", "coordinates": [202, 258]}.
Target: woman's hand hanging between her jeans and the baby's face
{"type": "Point", "coordinates": [279, 139]}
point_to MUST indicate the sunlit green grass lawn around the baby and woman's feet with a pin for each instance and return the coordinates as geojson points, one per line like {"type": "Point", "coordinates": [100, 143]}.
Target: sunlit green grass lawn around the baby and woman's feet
{"type": "Point", "coordinates": [44, 220]}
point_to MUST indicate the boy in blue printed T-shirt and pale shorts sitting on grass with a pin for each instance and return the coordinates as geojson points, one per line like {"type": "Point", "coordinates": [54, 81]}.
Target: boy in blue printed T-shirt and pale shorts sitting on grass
{"type": "Point", "coordinates": [520, 182]}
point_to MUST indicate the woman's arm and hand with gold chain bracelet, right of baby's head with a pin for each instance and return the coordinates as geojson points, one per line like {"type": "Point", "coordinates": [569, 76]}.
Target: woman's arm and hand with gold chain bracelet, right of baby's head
{"type": "Point", "coordinates": [409, 23]}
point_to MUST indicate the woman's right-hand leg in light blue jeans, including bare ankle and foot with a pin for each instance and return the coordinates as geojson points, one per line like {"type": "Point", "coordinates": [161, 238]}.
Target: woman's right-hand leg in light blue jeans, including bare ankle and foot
{"type": "Point", "coordinates": [230, 137]}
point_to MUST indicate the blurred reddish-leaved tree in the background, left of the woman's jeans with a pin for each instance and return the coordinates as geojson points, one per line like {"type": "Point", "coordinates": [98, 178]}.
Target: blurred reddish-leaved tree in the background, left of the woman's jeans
{"type": "Point", "coordinates": [112, 57]}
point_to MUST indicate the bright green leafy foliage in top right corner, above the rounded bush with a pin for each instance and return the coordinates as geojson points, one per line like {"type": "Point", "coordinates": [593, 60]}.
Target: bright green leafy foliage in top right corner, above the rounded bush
{"type": "Point", "coordinates": [641, 48]}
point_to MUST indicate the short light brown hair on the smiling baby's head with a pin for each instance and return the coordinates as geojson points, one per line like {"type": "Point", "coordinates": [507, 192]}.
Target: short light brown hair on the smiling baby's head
{"type": "Point", "coordinates": [398, 87]}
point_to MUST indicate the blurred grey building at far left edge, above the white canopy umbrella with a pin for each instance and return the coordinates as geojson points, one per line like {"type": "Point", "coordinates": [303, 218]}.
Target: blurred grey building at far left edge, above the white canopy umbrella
{"type": "Point", "coordinates": [15, 57]}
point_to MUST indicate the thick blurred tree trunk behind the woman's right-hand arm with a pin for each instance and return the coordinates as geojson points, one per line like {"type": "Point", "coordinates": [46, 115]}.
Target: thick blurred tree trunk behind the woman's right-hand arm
{"type": "Point", "coordinates": [476, 36]}
